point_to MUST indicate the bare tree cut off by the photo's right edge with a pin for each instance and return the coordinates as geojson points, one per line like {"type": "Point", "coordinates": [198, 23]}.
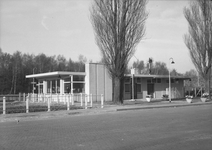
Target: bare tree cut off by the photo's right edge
{"type": "Point", "coordinates": [199, 39]}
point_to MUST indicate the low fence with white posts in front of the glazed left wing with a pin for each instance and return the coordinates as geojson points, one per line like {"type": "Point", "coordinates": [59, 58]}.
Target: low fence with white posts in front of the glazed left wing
{"type": "Point", "coordinates": [49, 101]}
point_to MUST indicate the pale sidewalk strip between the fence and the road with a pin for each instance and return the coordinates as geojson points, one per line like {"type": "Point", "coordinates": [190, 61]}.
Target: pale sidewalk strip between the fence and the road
{"type": "Point", "coordinates": [108, 107]}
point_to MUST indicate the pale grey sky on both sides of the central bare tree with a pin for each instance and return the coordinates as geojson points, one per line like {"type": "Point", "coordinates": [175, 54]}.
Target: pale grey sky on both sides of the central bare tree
{"type": "Point", "coordinates": [63, 27]}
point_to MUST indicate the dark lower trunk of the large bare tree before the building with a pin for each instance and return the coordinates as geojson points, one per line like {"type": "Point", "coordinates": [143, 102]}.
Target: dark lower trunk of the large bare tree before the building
{"type": "Point", "coordinates": [117, 89]}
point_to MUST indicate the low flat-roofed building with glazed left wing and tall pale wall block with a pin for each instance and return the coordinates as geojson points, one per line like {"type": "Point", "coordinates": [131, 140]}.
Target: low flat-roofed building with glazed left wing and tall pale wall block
{"type": "Point", "coordinates": [96, 81]}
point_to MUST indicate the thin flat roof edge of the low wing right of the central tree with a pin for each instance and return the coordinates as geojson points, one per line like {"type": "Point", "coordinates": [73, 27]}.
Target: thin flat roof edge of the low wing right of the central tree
{"type": "Point", "coordinates": [157, 76]}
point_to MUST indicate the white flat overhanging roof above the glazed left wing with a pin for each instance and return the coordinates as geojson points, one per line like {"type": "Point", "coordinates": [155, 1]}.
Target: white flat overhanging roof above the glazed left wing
{"type": "Point", "coordinates": [56, 74]}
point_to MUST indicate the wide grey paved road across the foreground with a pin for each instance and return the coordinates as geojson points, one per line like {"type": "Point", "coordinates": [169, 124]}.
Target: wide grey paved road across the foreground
{"type": "Point", "coordinates": [183, 128]}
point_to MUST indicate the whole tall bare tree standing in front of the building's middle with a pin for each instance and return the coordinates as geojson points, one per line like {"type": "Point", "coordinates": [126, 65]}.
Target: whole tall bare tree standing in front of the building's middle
{"type": "Point", "coordinates": [119, 25]}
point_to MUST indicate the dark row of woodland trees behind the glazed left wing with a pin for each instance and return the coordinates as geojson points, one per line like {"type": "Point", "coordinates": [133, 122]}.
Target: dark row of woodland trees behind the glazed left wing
{"type": "Point", "coordinates": [14, 68]}
